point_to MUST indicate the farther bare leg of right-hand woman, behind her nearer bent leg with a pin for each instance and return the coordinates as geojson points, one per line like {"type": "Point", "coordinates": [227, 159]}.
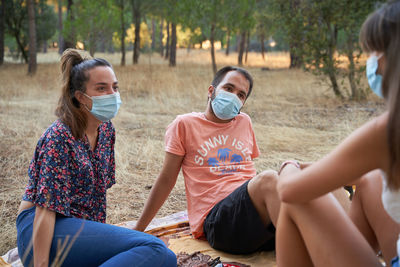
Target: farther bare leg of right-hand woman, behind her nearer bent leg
{"type": "Point", "coordinates": [368, 214]}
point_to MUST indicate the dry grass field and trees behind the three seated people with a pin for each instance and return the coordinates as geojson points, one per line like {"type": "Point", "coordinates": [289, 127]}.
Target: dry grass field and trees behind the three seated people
{"type": "Point", "coordinates": [310, 86]}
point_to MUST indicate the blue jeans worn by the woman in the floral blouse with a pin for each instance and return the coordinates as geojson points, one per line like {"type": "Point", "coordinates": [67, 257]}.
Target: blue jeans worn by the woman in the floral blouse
{"type": "Point", "coordinates": [96, 244]}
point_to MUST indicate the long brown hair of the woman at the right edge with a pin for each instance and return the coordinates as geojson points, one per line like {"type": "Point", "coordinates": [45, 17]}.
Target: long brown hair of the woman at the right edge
{"type": "Point", "coordinates": [381, 33]}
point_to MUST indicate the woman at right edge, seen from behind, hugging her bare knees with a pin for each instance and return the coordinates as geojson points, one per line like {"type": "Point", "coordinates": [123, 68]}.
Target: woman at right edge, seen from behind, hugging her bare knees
{"type": "Point", "coordinates": [312, 229]}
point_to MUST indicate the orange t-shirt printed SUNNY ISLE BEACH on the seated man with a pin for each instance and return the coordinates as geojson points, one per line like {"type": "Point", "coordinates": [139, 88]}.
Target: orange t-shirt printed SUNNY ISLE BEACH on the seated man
{"type": "Point", "coordinates": [218, 158]}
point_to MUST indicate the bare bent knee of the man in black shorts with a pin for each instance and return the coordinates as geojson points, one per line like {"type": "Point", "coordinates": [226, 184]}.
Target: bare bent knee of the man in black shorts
{"type": "Point", "coordinates": [263, 194]}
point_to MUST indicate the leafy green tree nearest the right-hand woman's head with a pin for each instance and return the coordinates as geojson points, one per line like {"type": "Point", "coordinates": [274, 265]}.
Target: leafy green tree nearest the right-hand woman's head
{"type": "Point", "coordinates": [322, 33]}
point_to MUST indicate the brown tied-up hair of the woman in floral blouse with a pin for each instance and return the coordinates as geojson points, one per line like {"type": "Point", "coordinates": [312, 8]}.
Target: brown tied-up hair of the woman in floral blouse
{"type": "Point", "coordinates": [75, 65]}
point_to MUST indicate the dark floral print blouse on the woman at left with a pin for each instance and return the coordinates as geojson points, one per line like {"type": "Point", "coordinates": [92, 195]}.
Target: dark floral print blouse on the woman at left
{"type": "Point", "coordinates": [65, 176]}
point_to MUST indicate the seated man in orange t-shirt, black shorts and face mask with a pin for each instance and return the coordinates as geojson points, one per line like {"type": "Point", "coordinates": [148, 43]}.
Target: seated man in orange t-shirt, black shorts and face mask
{"type": "Point", "coordinates": [228, 203]}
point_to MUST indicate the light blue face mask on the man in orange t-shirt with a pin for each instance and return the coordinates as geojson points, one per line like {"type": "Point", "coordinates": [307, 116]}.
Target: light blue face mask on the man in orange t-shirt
{"type": "Point", "coordinates": [226, 105]}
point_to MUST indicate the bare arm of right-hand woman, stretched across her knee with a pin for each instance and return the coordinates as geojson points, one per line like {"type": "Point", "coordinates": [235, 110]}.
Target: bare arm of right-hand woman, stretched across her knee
{"type": "Point", "coordinates": [364, 150]}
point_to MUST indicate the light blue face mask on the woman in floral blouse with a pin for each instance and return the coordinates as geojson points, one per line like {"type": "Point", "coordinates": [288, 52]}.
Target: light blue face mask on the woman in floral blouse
{"type": "Point", "coordinates": [105, 107]}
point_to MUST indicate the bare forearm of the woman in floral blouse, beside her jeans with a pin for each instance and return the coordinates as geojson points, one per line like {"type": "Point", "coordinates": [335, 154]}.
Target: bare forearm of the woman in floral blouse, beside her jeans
{"type": "Point", "coordinates": [43, 230]}
